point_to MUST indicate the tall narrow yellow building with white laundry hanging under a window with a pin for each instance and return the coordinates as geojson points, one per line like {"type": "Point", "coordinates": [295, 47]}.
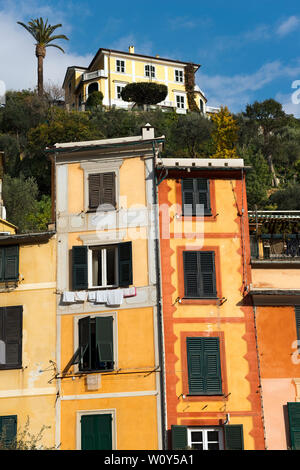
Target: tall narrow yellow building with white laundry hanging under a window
{"type": "Point", "coordinates": [108, 338]}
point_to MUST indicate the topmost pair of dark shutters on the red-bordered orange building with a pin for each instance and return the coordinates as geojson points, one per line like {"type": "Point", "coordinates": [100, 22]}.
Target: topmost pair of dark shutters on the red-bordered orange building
{"type": "Point", "coordinates": [195, 191]}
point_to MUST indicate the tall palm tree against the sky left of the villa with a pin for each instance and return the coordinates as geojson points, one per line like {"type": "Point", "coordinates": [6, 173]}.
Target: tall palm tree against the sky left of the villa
{"type": "Point", "coordinates": [42, 33]}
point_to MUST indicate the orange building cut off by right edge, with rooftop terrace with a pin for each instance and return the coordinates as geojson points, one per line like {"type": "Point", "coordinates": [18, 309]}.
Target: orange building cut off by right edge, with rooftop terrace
{"type": "Point", "coordinates": [276, 297]}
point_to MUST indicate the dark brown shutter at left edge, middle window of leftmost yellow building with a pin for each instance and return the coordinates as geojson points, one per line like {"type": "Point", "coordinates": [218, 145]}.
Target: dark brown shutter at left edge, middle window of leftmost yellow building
{"type": "Point", "coordinates": [11, 337]}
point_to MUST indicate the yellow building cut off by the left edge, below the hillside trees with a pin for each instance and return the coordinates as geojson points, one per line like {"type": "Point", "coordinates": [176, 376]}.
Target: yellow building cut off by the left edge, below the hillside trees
{"type": "Point", "coordinates": [27, 333]}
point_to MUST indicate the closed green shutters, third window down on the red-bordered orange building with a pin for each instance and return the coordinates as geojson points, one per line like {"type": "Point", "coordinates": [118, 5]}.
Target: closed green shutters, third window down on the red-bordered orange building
{"type": "Point", "coordinates": [204, 366]}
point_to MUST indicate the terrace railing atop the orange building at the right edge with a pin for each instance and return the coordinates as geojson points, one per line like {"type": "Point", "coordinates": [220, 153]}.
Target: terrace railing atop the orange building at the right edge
{"type": "Point", "coordinates": [275, 247]}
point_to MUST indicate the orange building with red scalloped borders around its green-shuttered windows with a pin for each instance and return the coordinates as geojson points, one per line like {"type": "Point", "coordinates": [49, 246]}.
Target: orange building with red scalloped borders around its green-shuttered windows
{"type": "Point", "coordinates": [211, 368]}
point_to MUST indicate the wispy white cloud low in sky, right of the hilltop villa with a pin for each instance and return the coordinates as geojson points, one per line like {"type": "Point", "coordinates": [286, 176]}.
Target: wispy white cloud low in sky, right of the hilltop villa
{"type": "Point", "coordinates": [239, 90]}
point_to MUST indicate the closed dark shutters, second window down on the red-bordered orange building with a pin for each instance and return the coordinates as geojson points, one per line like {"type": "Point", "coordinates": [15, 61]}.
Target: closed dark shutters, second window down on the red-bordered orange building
{"type": "Point", "coordinates": [199, 274]}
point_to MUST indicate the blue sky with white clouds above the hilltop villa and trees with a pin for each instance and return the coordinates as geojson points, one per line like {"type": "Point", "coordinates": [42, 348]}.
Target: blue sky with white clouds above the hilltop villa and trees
{"type": "Point", "coordinates": [248, 51]}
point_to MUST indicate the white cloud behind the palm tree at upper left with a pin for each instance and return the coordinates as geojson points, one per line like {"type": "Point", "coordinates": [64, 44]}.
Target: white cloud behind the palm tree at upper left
{"type": "Point", "coordinates": [17, 48]}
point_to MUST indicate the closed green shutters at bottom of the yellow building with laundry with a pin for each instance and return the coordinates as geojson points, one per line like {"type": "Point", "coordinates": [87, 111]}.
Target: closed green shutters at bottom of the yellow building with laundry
{"type": "Point", "coordinates": [96, 432]}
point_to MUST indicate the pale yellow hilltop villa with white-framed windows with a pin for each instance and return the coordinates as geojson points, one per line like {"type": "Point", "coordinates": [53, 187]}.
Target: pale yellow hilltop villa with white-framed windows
{"type": "Point", "coordinates": [110, 71]}
